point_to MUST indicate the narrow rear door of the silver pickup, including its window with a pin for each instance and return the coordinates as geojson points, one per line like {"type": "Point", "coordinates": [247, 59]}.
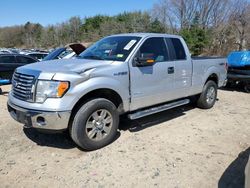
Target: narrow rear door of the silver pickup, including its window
{"type": "Point", "coordinates": [183, 67]}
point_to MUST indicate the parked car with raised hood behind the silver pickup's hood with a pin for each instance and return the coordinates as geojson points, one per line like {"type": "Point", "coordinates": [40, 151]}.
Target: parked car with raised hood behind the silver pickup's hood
{"type": "Point", "coordinates": [66, 52]}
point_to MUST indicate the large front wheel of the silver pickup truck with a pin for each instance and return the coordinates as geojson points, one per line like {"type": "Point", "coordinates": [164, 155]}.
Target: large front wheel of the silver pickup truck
{"type": "Point", "coordinates": [95, 124]}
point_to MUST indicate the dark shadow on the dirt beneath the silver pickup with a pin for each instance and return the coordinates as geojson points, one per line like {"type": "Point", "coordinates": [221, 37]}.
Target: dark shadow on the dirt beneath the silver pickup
{"type": "Point", "coordinates": [63, 140]}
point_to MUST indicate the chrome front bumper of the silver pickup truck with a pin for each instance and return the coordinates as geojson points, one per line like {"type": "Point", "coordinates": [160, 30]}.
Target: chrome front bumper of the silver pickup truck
{"type": "Point", "coordinates": [39, 119]}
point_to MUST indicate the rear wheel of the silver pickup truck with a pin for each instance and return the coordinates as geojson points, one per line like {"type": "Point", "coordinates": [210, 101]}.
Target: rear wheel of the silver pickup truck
{"type": "Point", "coordinates": [208, 96]}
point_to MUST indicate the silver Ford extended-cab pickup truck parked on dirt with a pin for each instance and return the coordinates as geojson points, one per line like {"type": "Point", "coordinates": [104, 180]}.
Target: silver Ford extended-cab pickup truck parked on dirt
{"type": "Point", "coordinates": [138, 74]}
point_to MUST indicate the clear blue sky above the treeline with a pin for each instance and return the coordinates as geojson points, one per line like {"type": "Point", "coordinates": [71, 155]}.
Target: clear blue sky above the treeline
{"type": "Point", "coordinates": [45, 12]}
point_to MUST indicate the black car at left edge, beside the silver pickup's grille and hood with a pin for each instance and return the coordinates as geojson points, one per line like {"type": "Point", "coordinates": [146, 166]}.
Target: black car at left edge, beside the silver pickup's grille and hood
{"type": "Point", "coordinates": [9, 62]}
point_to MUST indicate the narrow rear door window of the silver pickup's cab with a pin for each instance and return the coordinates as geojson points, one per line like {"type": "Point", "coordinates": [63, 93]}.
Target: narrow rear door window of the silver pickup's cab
{"type": "Point", "coordinates": [176, 48]}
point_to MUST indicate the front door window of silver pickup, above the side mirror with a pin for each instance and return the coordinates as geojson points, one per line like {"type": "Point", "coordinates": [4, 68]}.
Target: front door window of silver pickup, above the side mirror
{"type": "Point", "coordinates": [154, 48]}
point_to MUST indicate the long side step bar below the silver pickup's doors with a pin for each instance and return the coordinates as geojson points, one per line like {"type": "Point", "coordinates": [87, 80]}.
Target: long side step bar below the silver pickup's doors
{"type": "Point", "coordinates": [157, 109]}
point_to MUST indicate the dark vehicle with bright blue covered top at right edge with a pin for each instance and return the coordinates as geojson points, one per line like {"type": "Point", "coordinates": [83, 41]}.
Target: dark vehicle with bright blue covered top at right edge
{"type": "Point", "coordinates": [239, 69]}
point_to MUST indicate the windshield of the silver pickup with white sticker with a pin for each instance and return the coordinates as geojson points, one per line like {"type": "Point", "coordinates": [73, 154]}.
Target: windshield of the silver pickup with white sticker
{"type": "Point", "coordinates": [116, 48]}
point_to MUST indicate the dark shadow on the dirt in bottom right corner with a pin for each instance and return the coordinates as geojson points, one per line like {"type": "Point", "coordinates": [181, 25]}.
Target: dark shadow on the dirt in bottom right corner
{"type": "Point", "coordinates": [234, 175]}
